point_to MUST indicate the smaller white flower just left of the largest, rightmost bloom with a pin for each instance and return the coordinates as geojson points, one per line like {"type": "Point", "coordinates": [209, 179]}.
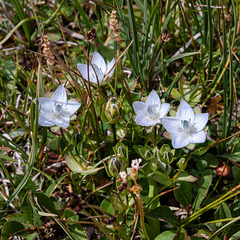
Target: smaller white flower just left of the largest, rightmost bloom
{"type": "Point", "coordinates": [149, 113]}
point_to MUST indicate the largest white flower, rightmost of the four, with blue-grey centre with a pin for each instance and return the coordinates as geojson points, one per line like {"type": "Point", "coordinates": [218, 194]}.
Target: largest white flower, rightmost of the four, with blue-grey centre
{"type": "Point", "coordinates": [186, 127]}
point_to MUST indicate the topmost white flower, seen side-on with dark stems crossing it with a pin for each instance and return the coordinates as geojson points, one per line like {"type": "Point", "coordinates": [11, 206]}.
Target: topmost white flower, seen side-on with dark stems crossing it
{"type": "Point", "coordinates": [98, 70]}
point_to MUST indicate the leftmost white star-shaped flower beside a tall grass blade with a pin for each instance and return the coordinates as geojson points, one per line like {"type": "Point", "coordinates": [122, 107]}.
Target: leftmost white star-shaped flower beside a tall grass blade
{"type": "Point", "coordinates": [57, 110]}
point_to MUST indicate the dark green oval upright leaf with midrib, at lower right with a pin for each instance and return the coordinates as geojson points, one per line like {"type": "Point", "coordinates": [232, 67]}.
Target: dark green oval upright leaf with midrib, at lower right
{"type": "Point", "coordinates": [183, 193]}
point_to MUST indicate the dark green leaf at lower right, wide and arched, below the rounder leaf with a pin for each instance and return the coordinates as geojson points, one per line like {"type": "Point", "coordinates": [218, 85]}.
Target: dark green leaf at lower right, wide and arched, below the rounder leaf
{"type": "Point", "coordinates": [163, 213]}
